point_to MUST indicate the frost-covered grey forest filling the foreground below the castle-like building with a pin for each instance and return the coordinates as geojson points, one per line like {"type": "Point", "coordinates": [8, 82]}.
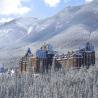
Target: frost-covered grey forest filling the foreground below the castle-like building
{"type": "Point", "coordinates": [72, 83]}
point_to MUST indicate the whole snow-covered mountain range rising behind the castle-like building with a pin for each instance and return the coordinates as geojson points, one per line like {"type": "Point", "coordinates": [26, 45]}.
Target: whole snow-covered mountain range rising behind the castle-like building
{"type": "Point", "coordinates": [69, 29]}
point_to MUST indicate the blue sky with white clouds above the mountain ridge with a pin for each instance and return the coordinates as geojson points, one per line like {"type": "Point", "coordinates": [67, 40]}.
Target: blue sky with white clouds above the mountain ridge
{"type": "Point", "coordinates": [10, 9]}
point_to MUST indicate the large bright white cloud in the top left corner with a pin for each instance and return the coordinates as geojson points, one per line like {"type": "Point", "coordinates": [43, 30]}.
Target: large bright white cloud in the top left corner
{"type": "Point", "coordinates": [13, 7]}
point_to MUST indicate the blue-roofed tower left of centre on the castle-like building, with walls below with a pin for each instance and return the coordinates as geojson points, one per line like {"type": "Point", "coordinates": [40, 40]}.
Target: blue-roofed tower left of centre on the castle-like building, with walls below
{"type": "Point", "coordinates": [45, 56]}
